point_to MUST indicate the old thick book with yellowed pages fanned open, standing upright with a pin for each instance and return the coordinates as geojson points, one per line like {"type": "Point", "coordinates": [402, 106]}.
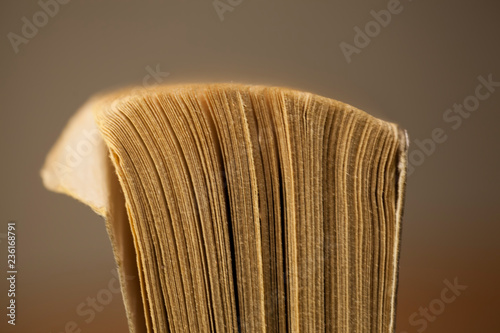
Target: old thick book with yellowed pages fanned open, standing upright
{"type": "Point", "coordinates": [240, 208]}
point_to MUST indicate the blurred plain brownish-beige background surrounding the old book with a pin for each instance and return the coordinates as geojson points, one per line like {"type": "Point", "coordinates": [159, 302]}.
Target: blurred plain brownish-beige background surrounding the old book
{"type": "Point", "coordinates": [424, 61]}
